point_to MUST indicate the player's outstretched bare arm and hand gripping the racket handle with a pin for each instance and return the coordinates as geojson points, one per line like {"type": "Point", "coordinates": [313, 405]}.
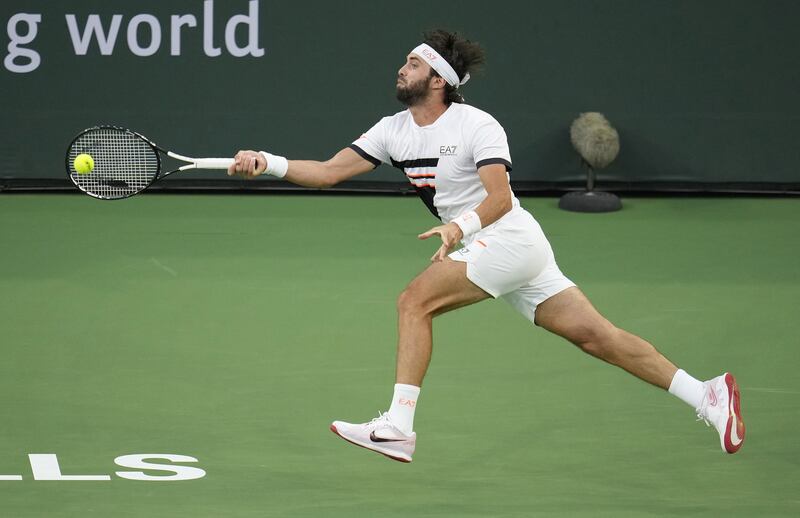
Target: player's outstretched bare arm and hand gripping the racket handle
{"type": "Point", "coordinates": [307, 173]}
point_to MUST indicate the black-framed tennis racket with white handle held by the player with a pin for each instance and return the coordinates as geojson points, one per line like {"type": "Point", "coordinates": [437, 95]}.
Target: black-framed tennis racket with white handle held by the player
{"type": "Point", "coordinates": [125, 162]}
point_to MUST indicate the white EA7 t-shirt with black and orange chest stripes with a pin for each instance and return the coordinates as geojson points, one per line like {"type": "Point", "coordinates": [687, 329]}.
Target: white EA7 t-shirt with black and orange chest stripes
{"type": "Point", "coordinates": [440, 160]}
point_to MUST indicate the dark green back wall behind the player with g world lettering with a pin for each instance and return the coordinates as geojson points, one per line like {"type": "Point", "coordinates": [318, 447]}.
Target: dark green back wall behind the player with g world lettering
{"type": "Point", "coordinates": [700, 92]}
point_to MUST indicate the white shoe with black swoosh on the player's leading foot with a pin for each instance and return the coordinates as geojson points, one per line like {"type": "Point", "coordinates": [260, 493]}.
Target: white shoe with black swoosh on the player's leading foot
{"type": "Point", "coordinates": [378, 435]}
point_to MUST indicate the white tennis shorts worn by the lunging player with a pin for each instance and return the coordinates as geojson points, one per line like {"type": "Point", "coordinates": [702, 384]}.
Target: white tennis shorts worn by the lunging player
{"type": "Point", "coordinates": [512, 259]}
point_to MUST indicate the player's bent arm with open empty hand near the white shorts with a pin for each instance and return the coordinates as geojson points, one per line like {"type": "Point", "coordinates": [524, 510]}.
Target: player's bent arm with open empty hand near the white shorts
{"type": "Point", "coordinates": [496, 204]}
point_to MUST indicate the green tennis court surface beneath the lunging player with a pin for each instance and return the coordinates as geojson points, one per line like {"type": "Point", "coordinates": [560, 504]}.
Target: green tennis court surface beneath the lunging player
{"type": "Point", "coordinates": [234, 329]}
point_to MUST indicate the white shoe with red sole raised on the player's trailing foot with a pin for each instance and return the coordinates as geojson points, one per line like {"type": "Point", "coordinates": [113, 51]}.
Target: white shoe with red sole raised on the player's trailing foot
{"type": "Point", "coordinates": [720, 408]}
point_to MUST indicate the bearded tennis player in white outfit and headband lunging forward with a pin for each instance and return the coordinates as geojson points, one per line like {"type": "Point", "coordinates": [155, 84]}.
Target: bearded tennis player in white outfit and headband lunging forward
{"type": "Point", "coordinates": [457, 158]}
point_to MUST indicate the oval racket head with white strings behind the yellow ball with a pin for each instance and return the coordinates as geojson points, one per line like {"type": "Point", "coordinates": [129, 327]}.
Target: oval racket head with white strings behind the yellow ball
{"type": "Point", "coordinates": [124, 163]}
